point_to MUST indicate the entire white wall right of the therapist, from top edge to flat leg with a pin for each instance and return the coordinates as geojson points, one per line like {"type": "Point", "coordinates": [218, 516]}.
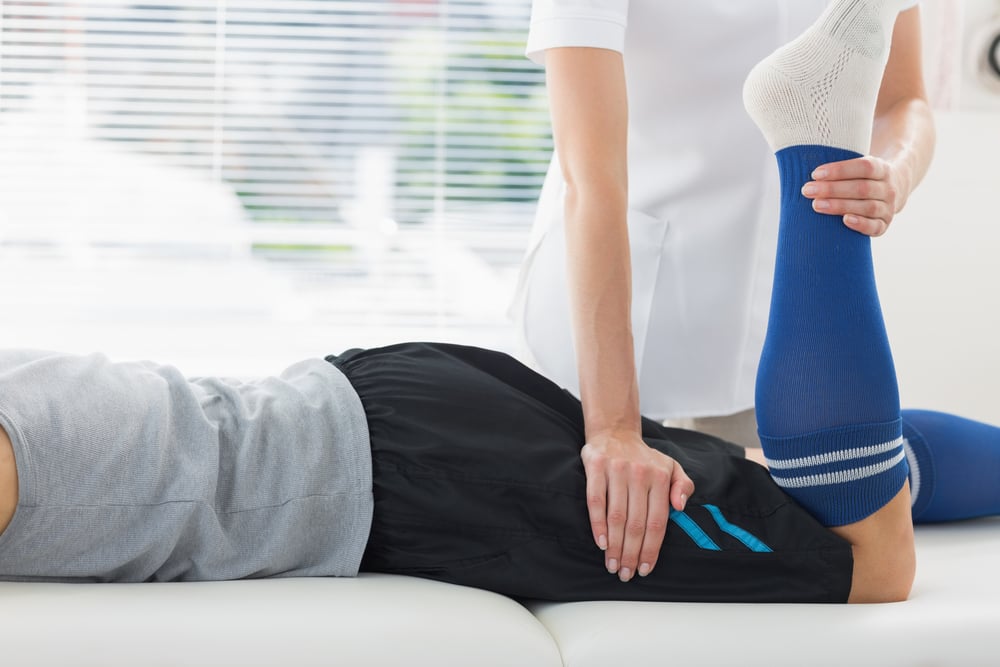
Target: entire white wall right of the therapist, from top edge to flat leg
{"type": "Point", "coordinates": [938, 268]}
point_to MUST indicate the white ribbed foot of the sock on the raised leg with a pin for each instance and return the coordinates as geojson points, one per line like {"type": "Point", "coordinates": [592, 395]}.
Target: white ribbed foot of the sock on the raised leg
{"type": "Point", "coordinates": [821, 88]}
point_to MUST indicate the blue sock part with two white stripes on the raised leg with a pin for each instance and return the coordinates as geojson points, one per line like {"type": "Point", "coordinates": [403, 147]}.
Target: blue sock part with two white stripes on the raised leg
{"type": "Point", "coordinates": [827, 400]}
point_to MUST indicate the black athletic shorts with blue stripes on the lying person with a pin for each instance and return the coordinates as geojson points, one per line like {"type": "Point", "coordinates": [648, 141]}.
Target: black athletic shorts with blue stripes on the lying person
{"type": "Point", "coordinates": [478, 481]}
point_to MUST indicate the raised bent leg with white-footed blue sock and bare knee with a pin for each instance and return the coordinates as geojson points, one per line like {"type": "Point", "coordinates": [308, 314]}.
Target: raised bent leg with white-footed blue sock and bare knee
{"type": "Point", "coordinates": [827, 401]}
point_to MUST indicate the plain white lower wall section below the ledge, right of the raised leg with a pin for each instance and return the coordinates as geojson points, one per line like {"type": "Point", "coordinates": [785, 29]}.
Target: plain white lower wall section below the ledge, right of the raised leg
{"type": "Point", "coordinates": [939, 274]}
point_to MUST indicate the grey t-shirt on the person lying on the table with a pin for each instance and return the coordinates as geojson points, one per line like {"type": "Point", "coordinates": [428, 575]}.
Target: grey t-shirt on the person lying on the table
{"type": "Point", "coordinates": [133, 472]}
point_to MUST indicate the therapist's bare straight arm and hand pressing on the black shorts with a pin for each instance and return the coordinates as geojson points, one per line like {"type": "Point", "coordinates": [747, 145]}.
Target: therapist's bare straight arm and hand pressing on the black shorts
{"type": "Point", "coordinates": [630, 486]}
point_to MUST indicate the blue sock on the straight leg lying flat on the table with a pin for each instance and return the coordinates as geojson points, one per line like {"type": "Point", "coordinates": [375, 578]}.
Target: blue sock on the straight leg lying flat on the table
{"type": "Point", "coordinates": [954, 466]}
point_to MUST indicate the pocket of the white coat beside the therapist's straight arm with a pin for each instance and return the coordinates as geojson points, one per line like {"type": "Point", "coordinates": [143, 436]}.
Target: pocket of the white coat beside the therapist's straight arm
{"type": "Point", "coordinates": [646, 236]}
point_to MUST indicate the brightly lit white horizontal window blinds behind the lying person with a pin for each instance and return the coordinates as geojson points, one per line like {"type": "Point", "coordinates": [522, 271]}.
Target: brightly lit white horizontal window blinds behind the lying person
{"type": "Point", "coordinates": [380, 159]}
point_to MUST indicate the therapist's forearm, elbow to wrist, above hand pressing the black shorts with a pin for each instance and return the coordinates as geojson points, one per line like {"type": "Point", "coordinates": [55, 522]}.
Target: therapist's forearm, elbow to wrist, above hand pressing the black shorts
{"type": "Point", "coordinates": [600, 296]}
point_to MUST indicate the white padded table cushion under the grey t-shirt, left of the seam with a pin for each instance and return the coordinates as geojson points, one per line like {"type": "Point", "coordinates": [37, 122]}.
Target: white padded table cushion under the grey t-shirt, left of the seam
{"type": "Point", "coordinates": [371, 620]}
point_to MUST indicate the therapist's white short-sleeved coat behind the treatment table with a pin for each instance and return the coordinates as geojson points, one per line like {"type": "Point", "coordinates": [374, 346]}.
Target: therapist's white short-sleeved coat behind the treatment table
{"type": "Point", "coordinates": [703, 198]}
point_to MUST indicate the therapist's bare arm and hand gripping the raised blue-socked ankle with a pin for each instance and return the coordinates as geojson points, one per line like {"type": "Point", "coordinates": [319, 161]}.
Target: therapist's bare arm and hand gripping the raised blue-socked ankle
{"type": "Point", "coordinates": [868, 192]}
